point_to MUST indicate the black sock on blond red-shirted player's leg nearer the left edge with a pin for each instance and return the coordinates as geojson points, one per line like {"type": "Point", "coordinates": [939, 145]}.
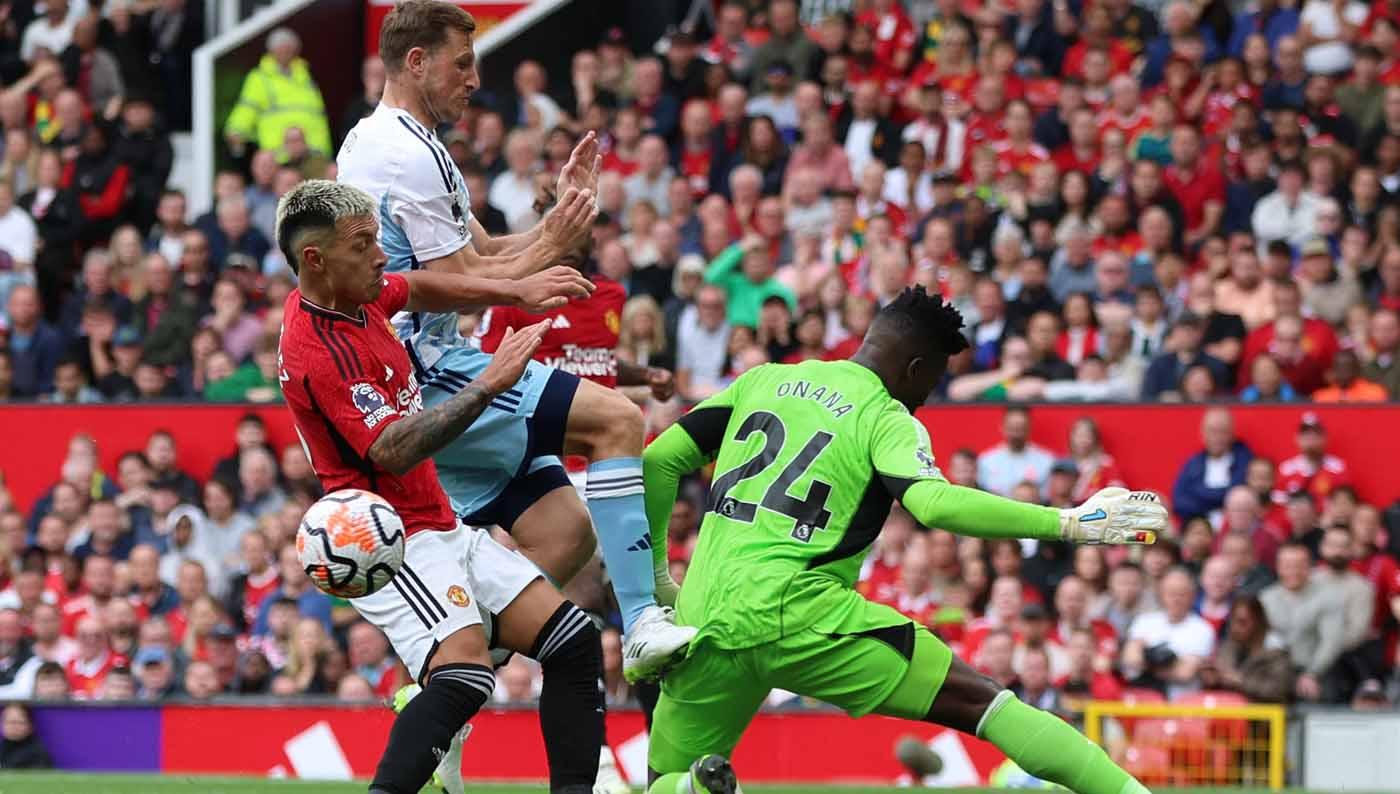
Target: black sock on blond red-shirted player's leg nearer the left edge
{"type": "Point", "coordinates": [425, 729]}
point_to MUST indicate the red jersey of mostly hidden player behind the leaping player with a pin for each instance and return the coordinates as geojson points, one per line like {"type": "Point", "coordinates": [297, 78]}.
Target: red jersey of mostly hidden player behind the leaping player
{"type": "Point", "coordinates": [582, 338]}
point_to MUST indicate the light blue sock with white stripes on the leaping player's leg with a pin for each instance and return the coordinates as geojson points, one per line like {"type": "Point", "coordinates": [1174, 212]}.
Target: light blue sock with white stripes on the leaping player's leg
{"type": "Point", "coordinates": [615, 499]}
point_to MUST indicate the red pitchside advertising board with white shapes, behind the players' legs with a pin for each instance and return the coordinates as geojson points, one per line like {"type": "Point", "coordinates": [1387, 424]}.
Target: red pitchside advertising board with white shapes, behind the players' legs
{"type": "Point", "coordinates": [327, 743]}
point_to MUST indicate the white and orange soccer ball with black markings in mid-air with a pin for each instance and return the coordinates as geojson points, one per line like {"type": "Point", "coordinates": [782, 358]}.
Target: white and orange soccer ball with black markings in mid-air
{"type": "Point", "coordinates": [351, 543]}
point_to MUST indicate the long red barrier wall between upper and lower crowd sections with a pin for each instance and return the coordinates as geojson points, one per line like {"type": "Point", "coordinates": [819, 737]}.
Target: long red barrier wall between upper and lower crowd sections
{"type": "Point", "coordinates": [1150, 442]}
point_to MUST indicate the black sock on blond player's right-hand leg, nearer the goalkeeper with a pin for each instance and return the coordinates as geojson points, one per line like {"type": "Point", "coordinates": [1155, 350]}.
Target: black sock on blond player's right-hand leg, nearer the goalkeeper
{"type": "Point", "coordinates": [569, 649]}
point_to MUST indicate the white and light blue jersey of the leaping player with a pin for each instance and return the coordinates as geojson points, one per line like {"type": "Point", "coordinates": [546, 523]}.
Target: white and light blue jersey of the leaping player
{"type": "Point", "coordinates": [425, 211]}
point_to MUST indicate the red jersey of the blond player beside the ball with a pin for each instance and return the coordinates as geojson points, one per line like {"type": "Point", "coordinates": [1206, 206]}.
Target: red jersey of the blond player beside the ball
{"type": "Point", "coordinates": [346, 379]}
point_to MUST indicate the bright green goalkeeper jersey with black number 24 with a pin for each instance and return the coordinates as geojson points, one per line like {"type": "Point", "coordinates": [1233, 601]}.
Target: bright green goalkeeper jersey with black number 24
{"type": "Point", "coordinates": [808, 460]}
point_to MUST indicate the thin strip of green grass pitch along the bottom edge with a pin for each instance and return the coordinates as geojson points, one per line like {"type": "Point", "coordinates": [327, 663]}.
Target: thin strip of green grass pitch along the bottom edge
{"type": "Point", "coordinates": [68, 783]}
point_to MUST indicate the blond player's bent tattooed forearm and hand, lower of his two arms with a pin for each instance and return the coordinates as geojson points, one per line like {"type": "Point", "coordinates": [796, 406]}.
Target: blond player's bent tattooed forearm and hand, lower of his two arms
{"type": "Point", "coordinates": [409, 442]}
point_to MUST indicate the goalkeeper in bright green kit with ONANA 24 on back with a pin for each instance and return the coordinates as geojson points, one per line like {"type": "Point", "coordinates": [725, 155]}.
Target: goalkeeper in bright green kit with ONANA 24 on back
{"type": "Point", "coordinates": [810, 459]}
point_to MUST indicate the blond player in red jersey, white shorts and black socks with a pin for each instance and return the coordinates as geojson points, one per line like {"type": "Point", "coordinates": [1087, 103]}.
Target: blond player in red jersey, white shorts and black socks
{"type": "Point", "coordinates": [358, 410]}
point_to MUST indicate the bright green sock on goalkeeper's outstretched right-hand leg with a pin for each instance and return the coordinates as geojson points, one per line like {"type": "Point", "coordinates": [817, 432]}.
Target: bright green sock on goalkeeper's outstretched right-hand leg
{"type": "Point", "coordinates": [1052, 750]}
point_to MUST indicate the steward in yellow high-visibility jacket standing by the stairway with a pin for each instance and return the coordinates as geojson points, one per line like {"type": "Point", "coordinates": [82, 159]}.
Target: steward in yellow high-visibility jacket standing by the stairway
{"type": "Point", "coordinates": [279, 95]}
